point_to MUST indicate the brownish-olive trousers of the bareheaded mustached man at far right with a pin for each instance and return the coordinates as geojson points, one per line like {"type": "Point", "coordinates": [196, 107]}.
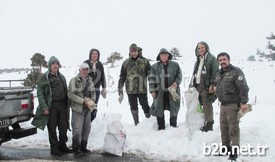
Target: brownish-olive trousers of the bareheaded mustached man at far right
{"type": "Point", "coordinates": [229, 125]}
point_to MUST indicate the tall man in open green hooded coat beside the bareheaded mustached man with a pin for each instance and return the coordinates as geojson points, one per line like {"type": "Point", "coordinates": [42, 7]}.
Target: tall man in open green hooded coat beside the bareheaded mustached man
{"type": "Point", "coordinates": [203, 80]}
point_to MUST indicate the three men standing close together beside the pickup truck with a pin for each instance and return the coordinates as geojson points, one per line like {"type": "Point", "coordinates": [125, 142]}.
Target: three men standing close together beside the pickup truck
{"type": "Point", "coordinates": [55, 100]}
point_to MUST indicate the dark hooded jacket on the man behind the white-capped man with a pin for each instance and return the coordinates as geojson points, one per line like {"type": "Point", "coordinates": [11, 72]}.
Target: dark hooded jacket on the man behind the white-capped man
{"type": "Point", "coordinates": [98, 76]}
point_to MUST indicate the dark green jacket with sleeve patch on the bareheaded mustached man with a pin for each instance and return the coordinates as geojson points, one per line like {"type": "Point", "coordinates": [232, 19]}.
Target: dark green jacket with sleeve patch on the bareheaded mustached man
{"type": "Point", "coordinates": [231, 86]}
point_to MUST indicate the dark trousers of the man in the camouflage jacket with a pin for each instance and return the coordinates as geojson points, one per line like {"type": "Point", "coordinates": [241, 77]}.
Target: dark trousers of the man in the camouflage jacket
{"type": "Point", "coordinates": [143, 101]}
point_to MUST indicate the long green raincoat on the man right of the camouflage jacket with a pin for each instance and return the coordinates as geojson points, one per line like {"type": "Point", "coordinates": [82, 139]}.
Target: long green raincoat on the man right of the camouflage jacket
{"type": "Point", "coordinates": [156, 84]}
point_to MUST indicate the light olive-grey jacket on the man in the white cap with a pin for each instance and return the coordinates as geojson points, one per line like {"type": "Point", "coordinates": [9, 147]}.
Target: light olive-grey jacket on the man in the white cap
{"type": "Point", "coordinates": [76, 93]}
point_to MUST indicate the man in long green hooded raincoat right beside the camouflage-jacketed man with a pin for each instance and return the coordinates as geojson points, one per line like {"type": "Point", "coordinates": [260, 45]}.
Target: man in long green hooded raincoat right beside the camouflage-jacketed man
{"type": "Point", "coordinates": [164, 74]}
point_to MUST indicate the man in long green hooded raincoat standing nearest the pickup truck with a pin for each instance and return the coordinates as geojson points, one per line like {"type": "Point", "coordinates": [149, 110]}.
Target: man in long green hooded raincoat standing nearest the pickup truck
{"type": "Point", "coordinates": [53, 108]}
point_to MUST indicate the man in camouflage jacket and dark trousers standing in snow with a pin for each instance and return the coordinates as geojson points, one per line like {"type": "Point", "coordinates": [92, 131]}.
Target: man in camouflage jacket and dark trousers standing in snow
{"type": "Point", "coordinates": [134, 72]}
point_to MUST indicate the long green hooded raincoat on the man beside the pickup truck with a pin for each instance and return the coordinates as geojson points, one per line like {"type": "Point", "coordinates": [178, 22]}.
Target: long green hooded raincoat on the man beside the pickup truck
{"type": "Point", "coordinates": [44, 95]}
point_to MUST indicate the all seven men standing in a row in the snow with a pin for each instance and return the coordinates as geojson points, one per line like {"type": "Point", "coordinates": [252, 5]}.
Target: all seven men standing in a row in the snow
{"type": "Point", "coordinates": [228, 84]}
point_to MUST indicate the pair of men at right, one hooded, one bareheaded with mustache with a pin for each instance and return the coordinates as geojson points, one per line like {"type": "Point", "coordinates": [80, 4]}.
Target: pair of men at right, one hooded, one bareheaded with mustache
{"type": "Point", "coordinates": [229, 85]}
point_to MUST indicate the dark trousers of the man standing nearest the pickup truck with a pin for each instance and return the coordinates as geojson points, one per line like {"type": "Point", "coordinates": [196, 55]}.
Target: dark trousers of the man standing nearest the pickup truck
{"type": "Point", "coordinates": [57, 119]}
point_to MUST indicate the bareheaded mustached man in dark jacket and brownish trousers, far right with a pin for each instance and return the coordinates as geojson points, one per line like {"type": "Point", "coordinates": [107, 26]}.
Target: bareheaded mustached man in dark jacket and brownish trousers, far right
{"type": "Point", "coordinates": [232, 92]}
